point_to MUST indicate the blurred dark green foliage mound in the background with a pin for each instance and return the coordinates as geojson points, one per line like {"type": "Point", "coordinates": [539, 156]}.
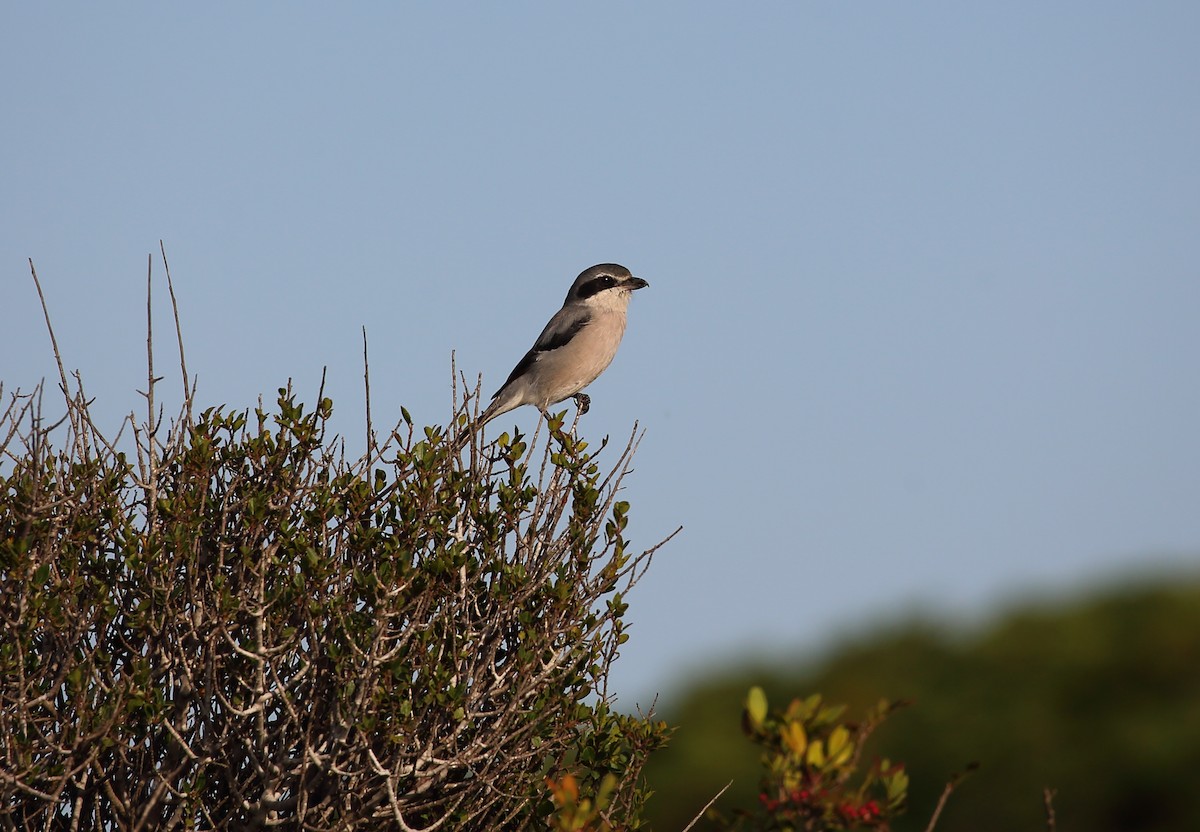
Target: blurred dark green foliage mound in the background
{"type": "Point", "coordinates": [1095, 698]}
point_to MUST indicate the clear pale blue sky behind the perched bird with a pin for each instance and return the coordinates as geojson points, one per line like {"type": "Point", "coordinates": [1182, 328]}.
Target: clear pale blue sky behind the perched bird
{"type": "Point", "coordinates": [922, 328]}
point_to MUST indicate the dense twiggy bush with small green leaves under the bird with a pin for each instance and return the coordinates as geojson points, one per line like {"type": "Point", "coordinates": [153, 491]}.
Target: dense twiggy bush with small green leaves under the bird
{"type": "Point", "coordinates": [241, 630]}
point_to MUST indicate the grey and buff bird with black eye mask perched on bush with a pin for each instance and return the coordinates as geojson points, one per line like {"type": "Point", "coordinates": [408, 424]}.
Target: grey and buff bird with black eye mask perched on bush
{"type": "Point", "coordinates": [577, 346]}
